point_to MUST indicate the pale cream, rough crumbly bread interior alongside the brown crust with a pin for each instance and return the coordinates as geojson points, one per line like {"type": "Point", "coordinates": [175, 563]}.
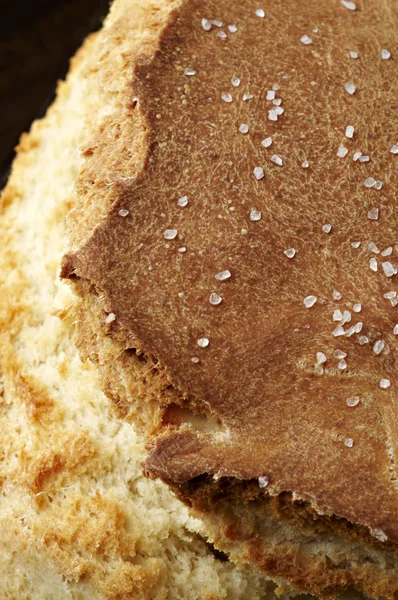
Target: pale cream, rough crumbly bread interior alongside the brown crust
{"type": "Point", "coordinates": [78, 520]}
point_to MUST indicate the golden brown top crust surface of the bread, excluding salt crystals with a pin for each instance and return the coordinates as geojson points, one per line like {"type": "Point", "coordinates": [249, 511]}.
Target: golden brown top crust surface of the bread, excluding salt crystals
{"type": "Point", "coordinates": [258, 380]}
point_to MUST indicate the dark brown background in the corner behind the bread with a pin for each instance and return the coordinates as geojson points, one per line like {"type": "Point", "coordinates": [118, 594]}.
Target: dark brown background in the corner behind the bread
{"type": "Point", "coordinates": [37, 38]}
